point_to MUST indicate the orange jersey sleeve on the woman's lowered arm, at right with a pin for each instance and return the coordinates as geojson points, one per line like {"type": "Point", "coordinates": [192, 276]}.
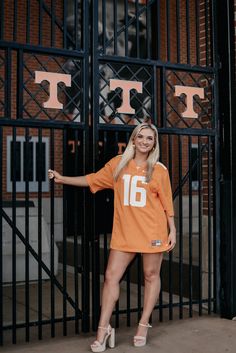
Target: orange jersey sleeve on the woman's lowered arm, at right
{"type": "Point", "coordinates": [165, 193]}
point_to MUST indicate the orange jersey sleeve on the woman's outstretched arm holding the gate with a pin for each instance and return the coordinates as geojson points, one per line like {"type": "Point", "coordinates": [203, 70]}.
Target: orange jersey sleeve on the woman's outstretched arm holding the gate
{"type": "Point", "coordinates": [103, 179]}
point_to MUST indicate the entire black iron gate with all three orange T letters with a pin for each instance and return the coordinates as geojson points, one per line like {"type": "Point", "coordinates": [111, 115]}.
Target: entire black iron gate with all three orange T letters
{"type": "Point", "coordinates": [54, 241]}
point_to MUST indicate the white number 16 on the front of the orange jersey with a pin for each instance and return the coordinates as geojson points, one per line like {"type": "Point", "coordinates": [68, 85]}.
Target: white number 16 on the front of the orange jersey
{"type": "Point", "coordinates": [132, 191]}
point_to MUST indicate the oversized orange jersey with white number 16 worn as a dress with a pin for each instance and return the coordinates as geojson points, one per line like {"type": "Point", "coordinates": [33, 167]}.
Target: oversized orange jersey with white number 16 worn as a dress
{"type": "Point", "coordinates": [140, 208]}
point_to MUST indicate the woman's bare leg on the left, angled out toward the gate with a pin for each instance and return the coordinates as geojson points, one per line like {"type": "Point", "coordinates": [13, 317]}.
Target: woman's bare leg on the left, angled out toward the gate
{"type": "Point", "coordinates": [117, 264]}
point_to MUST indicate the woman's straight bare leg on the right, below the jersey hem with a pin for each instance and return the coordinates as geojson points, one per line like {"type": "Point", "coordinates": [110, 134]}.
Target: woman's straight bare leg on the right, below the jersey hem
{"type": "Point", "coordinates": [152, 285]}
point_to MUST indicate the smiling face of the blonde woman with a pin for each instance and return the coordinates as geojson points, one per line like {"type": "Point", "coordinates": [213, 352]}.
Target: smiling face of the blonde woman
{"type": "Point", "coordinates": [144, 141]}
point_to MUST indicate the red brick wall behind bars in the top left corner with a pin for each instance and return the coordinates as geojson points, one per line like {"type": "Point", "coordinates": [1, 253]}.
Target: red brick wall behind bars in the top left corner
{"type": "Point", "coordinates": [37, 23]}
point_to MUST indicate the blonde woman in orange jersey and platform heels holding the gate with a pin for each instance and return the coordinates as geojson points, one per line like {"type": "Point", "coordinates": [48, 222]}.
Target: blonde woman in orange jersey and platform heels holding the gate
{"type": "Point", "coordinates": [143, 223]}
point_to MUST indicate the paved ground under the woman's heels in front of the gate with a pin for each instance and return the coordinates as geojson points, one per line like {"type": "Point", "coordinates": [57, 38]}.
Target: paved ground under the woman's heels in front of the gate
{"type": "Point", "coordinates": [198, 335]}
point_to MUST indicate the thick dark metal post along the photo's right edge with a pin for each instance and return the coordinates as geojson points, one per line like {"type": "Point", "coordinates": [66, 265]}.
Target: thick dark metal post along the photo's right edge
{"type": "Point", "coordinates": [227, 110]}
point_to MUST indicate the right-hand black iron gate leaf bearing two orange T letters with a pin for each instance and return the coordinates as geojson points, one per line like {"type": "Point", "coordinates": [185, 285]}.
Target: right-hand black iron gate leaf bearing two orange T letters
{"type": "Point", "coordinates": [168, 47]}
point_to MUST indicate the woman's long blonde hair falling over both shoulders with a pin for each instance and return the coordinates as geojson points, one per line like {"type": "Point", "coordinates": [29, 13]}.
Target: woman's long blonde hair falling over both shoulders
{"type": "Point", "coordinates": [129, 152]}
